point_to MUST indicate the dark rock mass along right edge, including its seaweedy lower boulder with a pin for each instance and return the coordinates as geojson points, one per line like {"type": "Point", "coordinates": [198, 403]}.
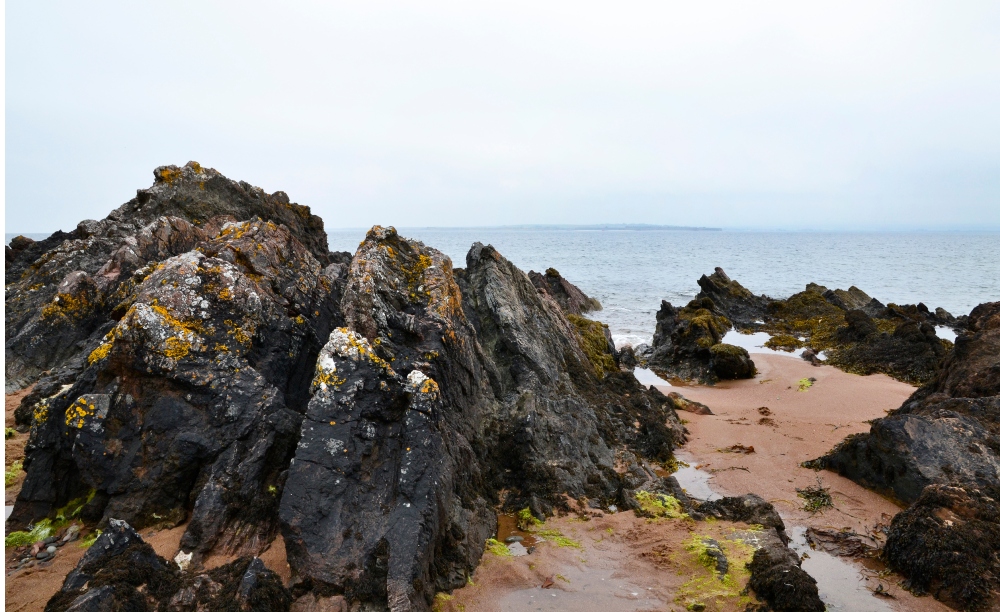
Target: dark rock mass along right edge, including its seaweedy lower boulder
{"type": "Point", "coordinates": [940, 451]}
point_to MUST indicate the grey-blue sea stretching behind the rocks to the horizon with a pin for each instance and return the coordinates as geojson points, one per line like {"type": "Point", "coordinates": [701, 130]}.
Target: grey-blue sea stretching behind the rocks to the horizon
{"type": "Point", "coordinates": [631, 271]}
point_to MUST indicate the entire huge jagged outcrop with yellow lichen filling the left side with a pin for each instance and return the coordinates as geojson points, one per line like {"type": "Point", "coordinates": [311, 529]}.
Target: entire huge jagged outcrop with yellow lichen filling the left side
{"type": "Point", "coordinates": [200, 359]}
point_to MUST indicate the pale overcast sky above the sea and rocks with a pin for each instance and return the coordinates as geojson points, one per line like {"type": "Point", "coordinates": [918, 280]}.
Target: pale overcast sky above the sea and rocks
{"type": "Point", "coordinates": [735, 114]}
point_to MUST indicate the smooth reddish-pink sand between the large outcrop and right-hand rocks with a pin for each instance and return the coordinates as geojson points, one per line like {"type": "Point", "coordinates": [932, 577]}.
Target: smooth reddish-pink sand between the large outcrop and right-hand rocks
{"type": "Point", "coordinates": [786, 426]}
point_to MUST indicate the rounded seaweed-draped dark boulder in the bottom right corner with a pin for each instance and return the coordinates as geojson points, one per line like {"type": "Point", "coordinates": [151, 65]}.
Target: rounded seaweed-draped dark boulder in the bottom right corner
{"type": "Point", "coordinates": [947, 544]}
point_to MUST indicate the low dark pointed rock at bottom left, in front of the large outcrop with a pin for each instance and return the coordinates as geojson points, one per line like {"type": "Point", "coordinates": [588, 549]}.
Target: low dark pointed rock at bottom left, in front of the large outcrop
{"type": "Point", "coordinates": [121, 572]}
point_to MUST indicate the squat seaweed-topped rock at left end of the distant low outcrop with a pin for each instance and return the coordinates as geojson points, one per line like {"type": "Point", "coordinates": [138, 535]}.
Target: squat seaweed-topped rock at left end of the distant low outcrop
{"type": "Point", "coordinates": [688, 344]}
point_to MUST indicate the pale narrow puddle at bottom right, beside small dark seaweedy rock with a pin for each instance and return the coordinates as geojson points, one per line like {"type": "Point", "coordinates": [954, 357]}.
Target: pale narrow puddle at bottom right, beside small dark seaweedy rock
{"type": "Point", "coordinates": [841, 585]}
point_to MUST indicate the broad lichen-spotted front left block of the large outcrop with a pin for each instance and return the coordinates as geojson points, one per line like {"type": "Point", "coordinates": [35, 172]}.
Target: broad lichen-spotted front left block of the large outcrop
{"type": "Point", "coordinates": [191, 402]}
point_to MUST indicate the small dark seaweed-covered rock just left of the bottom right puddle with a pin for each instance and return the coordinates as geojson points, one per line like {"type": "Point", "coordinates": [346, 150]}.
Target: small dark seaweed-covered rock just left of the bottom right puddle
{"type": "Point", "coordinates": [776, 576]}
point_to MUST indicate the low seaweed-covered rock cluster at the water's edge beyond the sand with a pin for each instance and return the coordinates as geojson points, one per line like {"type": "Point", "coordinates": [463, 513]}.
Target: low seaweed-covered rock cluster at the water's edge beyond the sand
{"type": "Point", "coordinates": [854, 331]}
